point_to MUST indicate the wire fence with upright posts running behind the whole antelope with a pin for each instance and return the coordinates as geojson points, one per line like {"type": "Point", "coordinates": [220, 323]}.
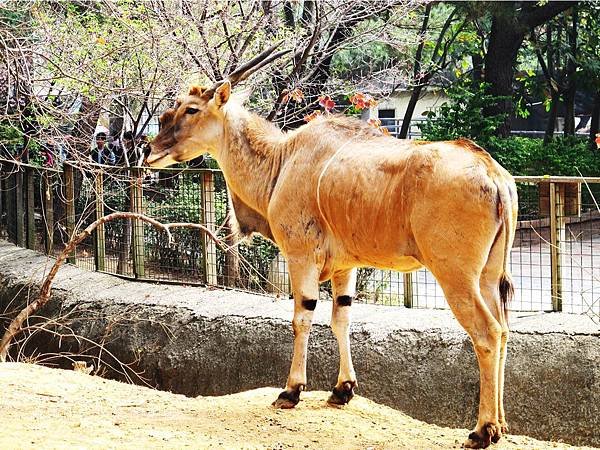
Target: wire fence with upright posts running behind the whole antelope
{"type": "Point", "coordinates": [555, 258]}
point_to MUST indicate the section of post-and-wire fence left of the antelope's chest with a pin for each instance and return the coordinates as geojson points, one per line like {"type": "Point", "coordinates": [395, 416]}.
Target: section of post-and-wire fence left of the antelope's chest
{"type": "Point", "coordinates": [71, 199]}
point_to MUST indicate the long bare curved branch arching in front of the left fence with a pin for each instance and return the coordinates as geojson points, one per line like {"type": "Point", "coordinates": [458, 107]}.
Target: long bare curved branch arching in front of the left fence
{"type": "Point", "coordinates": [16, 325]}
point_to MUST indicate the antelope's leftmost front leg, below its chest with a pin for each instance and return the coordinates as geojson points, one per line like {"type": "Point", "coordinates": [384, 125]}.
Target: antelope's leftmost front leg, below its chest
{"type": "Point", "coordinates": [304, 278]}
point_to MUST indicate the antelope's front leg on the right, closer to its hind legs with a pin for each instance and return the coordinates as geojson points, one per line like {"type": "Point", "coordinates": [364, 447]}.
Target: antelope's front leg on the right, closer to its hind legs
{"type": "Point", "coordinates": [344, 288]}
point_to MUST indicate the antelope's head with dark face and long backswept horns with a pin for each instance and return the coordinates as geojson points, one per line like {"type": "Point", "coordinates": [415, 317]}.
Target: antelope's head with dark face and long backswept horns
{"type": "Point", "coordinates": [194, 125]}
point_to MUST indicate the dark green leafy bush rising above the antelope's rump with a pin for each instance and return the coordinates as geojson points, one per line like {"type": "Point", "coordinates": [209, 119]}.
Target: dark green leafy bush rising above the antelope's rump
{"type": "Point", "coordinates": [462, 115]}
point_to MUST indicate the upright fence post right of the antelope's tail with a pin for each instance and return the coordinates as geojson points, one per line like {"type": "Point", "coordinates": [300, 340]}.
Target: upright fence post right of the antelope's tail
{"type": "Point", "coordinates": [557, 241]}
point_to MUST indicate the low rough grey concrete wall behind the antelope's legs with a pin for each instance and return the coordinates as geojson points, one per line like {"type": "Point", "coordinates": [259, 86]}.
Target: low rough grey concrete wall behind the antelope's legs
{"type": "Point", "coordinates": [199, 341]}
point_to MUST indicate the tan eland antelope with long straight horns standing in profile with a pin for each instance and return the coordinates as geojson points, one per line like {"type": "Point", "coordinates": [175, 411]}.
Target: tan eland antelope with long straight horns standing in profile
{"type": "Point", "coordinates": [336, 194]}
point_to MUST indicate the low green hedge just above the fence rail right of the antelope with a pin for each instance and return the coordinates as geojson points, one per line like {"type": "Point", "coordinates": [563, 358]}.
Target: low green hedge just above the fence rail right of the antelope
{"type": "Point", "coordinates": [566, 156]}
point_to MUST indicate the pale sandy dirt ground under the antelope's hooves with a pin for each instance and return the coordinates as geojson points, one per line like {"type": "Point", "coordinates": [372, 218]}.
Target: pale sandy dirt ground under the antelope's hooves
{"type": "Point", "coordinates": [50, 409]}
